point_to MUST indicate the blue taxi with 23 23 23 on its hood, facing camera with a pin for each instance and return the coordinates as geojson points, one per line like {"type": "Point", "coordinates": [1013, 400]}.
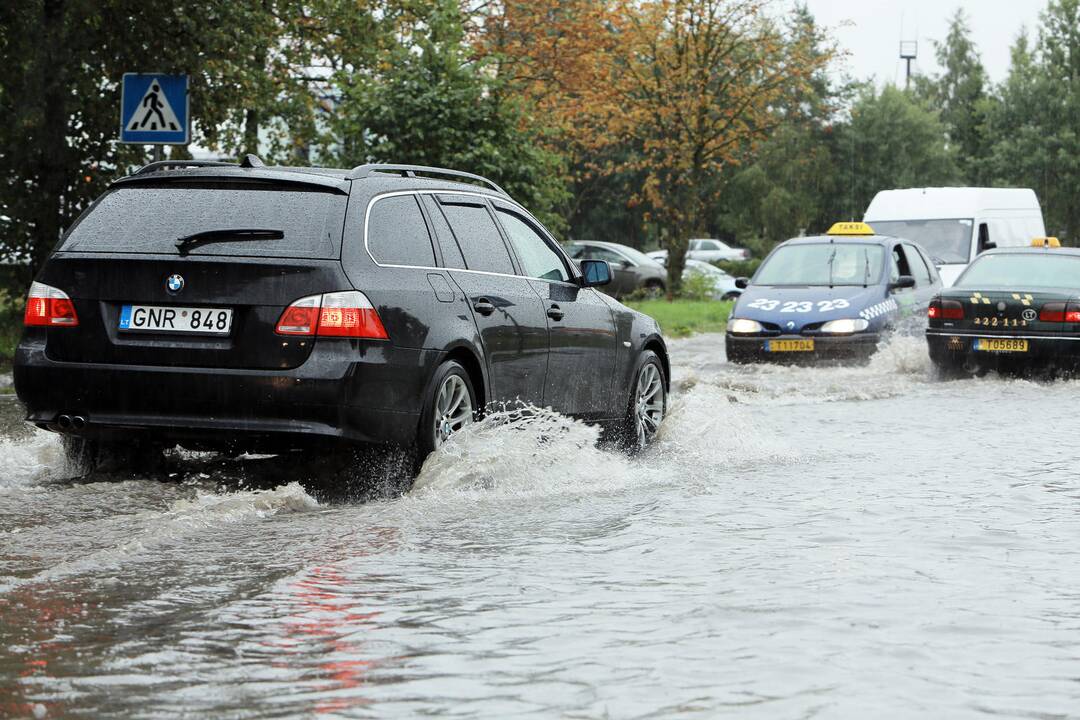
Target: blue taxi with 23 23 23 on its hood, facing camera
{"type": "Point", "coordinates": [830, 297]}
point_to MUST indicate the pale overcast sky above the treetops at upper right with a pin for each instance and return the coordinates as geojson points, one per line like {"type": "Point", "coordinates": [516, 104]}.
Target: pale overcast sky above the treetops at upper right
{"type": "Point", "coordinates": [874, 30]}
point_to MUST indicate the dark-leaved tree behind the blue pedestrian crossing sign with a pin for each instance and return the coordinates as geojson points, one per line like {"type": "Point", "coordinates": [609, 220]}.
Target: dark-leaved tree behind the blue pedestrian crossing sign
{"type": "Point", "coordinates": [60, 97]}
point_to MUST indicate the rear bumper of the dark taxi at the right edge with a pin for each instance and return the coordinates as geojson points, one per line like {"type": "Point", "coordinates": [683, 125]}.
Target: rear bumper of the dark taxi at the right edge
{"type": "Point", "coordinates": [950, 349]}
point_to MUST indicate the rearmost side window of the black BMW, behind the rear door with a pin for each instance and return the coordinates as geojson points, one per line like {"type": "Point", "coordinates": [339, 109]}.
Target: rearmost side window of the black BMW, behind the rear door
{"type": "Point", "coordinates": [398, 234]}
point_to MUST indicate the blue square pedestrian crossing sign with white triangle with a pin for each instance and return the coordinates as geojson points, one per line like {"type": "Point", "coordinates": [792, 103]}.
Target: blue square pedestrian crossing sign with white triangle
{"type": "Point", "coordinates": [154, 110]}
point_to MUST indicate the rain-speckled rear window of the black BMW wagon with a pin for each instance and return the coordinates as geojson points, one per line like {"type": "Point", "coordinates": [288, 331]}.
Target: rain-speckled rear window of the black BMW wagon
{"type": "Point", "coordinates": [152, 219]}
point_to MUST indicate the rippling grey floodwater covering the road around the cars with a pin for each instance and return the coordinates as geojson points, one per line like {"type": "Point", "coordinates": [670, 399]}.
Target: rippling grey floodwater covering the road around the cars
{"type": "Point", "coordinates": [863, 542]}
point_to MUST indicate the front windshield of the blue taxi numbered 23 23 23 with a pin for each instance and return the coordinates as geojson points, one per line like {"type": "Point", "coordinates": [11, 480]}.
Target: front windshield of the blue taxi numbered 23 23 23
{"type": "Point", "coordinates": [822, 264]}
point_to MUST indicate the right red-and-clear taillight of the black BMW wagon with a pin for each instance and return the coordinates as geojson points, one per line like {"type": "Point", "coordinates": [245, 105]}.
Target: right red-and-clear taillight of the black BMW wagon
{"type": "Point", "coordinates": [348, 315]}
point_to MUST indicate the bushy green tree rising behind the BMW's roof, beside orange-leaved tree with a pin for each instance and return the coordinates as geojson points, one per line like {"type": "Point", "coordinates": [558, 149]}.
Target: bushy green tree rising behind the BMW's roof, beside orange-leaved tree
{"type": "Point", "coordinates": [429, 103]}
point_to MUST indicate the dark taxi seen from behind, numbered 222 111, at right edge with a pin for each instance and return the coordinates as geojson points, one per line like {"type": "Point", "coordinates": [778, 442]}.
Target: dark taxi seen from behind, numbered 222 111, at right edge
{"type": "Point", "coordinates": [1012, 309]}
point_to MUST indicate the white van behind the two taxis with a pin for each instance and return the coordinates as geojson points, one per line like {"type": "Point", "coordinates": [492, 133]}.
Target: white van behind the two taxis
{"type": "Point", "coordinates": [955, 225]}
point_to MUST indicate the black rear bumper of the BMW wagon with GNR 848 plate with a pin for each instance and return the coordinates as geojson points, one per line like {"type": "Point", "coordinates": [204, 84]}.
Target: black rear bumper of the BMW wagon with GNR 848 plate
{"type": "Point", "coordinates": [348, 391]}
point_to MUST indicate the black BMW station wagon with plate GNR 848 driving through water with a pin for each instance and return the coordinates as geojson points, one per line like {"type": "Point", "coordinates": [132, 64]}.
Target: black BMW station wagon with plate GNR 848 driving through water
{"type": "Point", "coordinates": [229, 307]}
